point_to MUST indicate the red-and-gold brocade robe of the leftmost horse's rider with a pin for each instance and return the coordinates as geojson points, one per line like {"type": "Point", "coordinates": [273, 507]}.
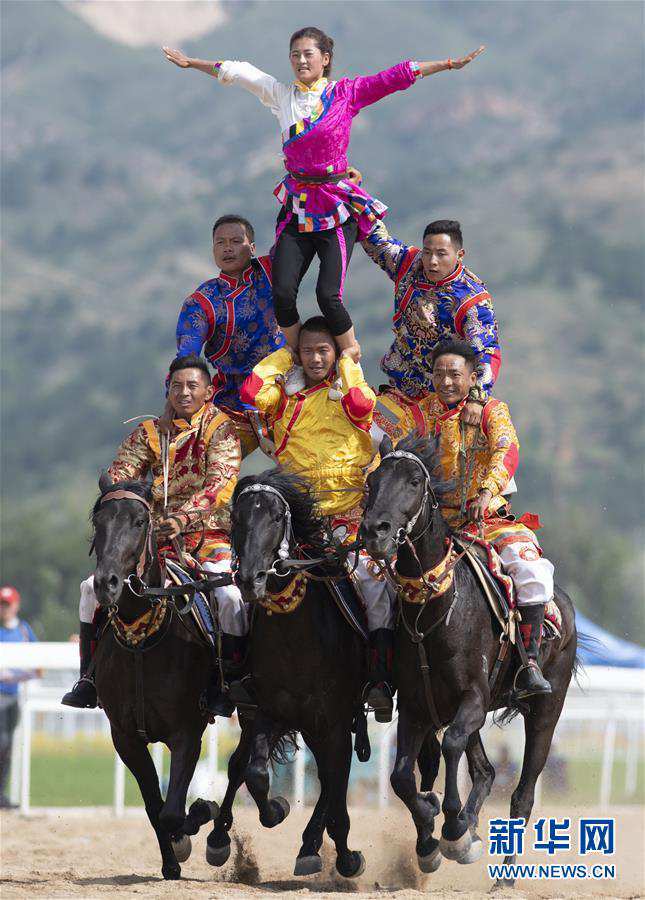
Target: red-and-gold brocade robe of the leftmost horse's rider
{"type": "Point", "coordinates": [204, 463]}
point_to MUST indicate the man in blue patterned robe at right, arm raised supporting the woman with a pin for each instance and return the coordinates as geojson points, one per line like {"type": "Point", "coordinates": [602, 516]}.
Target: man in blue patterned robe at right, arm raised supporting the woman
{"type": "Point", "coordinates": [436, 299]}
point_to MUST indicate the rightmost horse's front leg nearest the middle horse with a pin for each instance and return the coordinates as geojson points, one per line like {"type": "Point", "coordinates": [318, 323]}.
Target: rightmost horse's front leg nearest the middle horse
{"type": "Point", "coordinates": [410, 738]}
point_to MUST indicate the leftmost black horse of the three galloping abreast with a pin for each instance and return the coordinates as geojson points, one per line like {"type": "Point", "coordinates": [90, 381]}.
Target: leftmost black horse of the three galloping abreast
{"type": "Point", "coordinates": [150, 690]}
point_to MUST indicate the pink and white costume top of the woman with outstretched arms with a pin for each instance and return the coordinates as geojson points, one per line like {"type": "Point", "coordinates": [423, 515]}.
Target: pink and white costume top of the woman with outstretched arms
{"type": "Point", "coordinates": [316, 124]}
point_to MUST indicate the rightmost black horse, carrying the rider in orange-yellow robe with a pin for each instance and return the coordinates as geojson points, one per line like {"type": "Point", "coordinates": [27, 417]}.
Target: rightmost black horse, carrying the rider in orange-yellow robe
{"type": "Point", "coordinates": [461, 644]}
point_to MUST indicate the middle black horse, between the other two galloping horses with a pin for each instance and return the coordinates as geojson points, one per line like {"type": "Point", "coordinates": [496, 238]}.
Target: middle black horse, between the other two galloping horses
{"type": "Point", "coordinates": [307, 664]}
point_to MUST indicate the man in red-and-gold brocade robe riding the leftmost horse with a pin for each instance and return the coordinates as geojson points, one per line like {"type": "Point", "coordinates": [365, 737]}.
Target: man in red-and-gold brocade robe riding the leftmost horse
{"type": "Point", "coordinates": [203, 466]}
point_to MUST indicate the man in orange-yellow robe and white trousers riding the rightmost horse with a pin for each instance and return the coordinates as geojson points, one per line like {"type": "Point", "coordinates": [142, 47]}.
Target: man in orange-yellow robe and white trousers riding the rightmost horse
{"type": "Point", "coordinates": [482, 461]}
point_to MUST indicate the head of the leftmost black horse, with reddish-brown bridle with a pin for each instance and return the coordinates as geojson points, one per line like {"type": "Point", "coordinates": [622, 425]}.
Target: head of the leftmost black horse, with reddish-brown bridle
{"type": "Point", "coordinates": [123, 538]}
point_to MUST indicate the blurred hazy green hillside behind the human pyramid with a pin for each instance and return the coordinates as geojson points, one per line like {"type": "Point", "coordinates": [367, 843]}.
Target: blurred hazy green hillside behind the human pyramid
{"type": "Point", "coordinates": [116, 163]}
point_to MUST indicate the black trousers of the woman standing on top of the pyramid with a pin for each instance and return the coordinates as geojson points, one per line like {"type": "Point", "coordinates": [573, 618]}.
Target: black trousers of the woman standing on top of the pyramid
{"type": "Point", "coordinates": [293, 255]}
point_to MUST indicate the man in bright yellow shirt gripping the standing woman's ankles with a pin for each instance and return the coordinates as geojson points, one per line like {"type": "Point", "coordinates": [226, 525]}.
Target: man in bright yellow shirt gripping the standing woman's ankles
{"type": "Point", "coordinates": [322, 433]}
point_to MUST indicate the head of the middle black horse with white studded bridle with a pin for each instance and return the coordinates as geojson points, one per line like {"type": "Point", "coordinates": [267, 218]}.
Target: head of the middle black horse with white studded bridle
{"type": "Point", "coordinates": [267, 510]}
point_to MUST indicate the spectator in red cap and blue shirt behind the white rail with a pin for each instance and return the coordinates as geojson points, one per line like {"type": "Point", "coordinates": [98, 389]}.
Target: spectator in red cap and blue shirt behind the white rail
{"type": "Point", "coordinates": [12, 630]}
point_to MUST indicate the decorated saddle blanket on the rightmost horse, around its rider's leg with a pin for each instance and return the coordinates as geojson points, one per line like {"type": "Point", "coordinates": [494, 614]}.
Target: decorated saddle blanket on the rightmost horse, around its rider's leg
{"type": "Point", "coordinates": [487, 564]}
